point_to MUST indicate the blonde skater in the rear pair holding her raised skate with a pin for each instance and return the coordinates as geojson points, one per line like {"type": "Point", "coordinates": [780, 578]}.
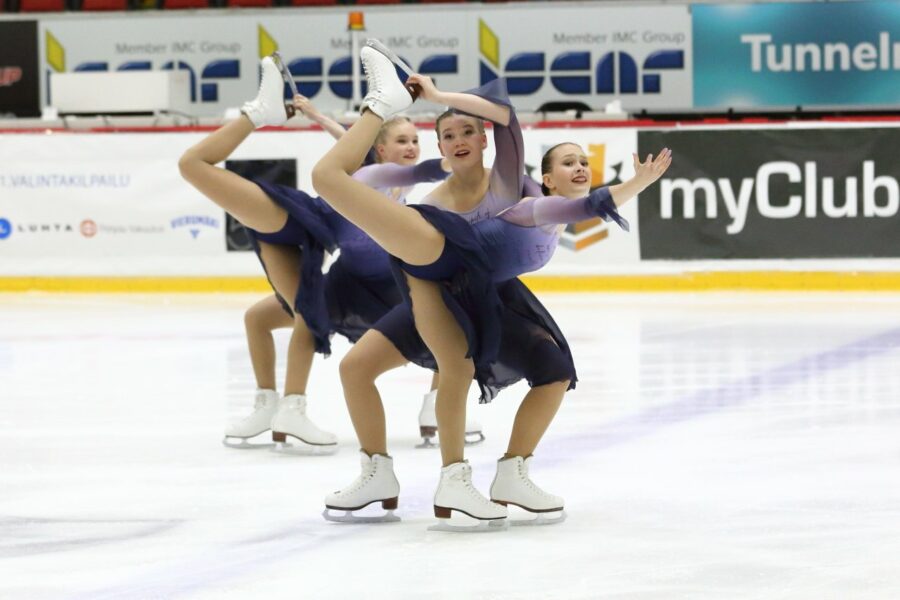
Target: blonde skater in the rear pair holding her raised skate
{"type": "Point", "coordinates": [291, 231]}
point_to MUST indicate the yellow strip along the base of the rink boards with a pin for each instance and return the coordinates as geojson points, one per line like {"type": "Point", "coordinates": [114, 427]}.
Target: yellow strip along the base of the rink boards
{"type": "Point", "coordinates": [682, 282]}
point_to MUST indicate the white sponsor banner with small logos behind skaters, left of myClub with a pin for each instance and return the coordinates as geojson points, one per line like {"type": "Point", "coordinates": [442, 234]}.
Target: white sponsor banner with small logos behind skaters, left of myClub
{"type": "Point", "coordinates": [116, 204]}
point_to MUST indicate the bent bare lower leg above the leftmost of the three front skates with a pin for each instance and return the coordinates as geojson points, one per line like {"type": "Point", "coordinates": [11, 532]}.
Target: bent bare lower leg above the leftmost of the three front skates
{"type": "Point", "coordinates": [369, 358]}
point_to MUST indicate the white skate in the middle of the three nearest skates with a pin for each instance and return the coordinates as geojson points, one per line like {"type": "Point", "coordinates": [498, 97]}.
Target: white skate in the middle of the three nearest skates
{"type": "Point", "coordinates": [456, 493]}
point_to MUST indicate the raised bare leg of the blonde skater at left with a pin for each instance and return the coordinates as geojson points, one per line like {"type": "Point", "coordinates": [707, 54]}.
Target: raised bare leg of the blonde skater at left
{"type": "Point", "coordinates": [242, 199]}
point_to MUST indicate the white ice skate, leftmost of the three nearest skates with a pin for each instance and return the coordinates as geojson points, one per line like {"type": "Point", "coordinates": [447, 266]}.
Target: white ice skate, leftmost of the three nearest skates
{"type": "Point", "coordinates": [376, 483]}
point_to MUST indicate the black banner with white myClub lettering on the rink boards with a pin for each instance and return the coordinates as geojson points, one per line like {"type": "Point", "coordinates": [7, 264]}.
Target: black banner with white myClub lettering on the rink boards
{"type": "Point", "coordinates": [805, 193]}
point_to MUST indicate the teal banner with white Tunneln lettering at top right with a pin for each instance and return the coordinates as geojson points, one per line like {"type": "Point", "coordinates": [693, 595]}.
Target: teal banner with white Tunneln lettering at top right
{"type": "Point", "coordinates": [796, 54]}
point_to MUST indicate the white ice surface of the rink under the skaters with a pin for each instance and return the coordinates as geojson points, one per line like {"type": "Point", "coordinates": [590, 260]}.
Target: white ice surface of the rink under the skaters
{"type": "Point", "coordinates": [717, 446]}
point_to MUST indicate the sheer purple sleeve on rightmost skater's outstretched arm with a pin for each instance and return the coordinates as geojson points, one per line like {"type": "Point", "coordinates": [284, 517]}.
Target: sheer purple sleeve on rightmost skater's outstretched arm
{"type": "Point", "coordinates": [558, 210]}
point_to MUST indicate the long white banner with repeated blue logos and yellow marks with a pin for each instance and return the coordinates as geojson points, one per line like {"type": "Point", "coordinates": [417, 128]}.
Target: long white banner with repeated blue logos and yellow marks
{"type": "Point", "coordinates": [551, 53]}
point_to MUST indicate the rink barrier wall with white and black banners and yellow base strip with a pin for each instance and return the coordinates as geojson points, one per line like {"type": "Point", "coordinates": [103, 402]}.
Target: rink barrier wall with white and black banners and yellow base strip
{"type": "Point", "coordinates": [116, 216]}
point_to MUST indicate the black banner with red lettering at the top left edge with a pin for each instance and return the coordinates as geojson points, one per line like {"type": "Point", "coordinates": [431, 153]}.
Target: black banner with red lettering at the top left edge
{"type": "Point", "coordinates": [19, 77]}
